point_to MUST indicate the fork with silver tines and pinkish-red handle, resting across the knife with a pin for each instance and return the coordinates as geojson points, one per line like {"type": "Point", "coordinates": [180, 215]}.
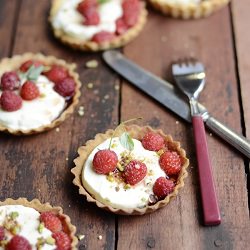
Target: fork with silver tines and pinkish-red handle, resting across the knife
{"type": "Point", "coordinates": [190, 78]}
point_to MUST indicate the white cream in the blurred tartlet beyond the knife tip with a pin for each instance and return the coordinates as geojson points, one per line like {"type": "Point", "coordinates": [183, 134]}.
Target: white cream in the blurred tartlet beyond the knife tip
{"type": "Point", "coordinates": [70, 21]}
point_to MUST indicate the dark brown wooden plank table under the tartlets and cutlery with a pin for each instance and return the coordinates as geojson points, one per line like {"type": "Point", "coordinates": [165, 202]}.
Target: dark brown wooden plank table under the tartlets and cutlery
{"type": "Point", "coordinates": [39, 166]}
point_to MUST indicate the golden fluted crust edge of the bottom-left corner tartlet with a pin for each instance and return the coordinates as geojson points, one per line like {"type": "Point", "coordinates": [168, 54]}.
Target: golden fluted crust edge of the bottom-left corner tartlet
{"type": "Point", "coordinates": [37, 205]}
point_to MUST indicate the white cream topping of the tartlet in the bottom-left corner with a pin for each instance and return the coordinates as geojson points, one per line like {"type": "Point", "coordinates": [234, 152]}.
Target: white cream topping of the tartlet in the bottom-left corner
{"type": "Point", "coordinates": [28, 218]}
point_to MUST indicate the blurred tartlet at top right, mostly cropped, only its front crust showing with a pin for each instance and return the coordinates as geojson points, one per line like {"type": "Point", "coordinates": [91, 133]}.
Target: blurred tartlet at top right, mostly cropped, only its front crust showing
{"type": "Point", "coordinates": [187, 9]}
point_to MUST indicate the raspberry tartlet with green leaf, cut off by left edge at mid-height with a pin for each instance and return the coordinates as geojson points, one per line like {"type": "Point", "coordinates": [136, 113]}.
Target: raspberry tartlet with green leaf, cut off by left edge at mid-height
{"type": "Point", "coordinates": [37, 93]}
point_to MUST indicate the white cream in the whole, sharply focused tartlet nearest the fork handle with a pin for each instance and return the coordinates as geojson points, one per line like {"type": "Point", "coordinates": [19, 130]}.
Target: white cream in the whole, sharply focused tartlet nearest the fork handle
{"type": "Point", "coordinates": [114, 193]}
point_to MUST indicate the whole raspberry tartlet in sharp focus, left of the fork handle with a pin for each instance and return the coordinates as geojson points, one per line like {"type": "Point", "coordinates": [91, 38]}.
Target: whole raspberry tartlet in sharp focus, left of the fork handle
{"type": "Point", "coordinates": [133, 172]}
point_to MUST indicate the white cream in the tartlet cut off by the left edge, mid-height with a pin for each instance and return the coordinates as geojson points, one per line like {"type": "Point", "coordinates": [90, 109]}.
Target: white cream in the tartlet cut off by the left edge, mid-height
{"type": "Point", "coordinates": [38, 112]}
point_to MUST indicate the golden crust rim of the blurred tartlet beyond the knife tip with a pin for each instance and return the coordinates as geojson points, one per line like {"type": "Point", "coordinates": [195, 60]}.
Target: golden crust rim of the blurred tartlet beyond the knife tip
{"type": "Point", "coordinates": [93, 46]}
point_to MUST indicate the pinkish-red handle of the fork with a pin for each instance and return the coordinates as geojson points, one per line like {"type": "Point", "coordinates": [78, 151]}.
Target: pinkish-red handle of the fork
{"type": "Point", "coordinates": [208, 195]}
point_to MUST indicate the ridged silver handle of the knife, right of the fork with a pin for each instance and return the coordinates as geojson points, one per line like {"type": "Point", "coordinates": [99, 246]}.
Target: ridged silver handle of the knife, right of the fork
{"type": "Point", "coordinates": [236, 140]}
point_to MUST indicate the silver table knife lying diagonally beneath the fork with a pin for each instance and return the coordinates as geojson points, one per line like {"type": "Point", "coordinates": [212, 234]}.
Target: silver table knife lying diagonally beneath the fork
{"type": "Point", "coordinates": [167, 95]}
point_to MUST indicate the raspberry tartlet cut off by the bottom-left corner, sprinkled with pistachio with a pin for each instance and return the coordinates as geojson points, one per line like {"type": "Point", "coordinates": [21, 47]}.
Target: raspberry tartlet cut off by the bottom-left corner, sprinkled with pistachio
{"type": "Point", "coordinates": [30, 225]}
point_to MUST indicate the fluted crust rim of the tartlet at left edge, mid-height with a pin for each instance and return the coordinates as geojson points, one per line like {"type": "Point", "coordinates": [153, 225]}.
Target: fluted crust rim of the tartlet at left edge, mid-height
{"type": "Point", "coordinates": [14, 63]}
